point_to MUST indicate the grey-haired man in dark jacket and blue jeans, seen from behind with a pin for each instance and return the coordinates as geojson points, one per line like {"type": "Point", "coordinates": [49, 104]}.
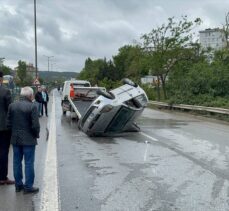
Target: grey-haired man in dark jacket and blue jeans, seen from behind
{"type": "Point", "coordinates": [23, 121]}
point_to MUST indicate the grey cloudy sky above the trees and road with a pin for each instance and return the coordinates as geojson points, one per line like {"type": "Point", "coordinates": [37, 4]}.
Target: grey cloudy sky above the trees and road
{"type": "Point", "coordinates": [73, 30]}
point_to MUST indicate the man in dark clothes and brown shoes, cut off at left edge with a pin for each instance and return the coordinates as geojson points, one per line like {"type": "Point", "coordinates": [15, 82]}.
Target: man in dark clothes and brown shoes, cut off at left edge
{"type": "Point", "coordinates": [5, 100]}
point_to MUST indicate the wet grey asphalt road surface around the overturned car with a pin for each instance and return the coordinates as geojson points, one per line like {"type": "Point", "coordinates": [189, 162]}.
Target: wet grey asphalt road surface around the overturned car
{"type": "Point", "coordinates": [178, 162]}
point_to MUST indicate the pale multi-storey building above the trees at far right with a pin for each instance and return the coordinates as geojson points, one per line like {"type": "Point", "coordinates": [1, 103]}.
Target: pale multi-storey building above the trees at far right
{"type": "Point", "coordinates": [213, 38]}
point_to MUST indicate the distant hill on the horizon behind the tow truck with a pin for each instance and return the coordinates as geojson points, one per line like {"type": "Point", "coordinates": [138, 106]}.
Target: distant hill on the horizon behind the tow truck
{"type": "Point", "coordinates": [57, 76]}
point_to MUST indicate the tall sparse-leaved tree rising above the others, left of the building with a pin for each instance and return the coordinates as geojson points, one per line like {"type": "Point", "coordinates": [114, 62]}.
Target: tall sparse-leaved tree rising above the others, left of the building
{"type": "Point", "coordinates": [164, 46]}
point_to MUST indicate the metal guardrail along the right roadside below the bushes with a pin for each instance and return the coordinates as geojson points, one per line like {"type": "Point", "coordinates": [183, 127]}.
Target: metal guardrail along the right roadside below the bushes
{"type": "Point", "coordinates": [191, 107]}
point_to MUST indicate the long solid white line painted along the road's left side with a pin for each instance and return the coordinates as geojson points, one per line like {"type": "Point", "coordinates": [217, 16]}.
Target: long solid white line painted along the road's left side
{"type": "Point", "coordinates": [50, 195]}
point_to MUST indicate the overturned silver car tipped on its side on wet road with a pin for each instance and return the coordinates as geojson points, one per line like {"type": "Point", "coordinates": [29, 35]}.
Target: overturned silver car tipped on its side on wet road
{"type": "Point", "coordinates": [115, 111]}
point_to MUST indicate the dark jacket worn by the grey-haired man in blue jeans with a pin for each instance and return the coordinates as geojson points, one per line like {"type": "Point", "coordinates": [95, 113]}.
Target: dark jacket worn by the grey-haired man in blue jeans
{"type": "Point", "coordinates": [23, 121]}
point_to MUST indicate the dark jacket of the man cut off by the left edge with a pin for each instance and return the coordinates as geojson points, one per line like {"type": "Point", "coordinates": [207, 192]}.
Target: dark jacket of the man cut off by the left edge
{"type": "Point", "coordinates": [5, 100]}
